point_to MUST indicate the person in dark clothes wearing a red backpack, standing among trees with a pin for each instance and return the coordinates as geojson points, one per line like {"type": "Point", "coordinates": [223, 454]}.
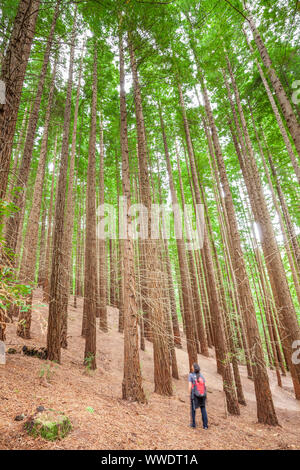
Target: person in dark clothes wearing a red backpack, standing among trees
{"type": "Point", "coordinates": [197, 391]}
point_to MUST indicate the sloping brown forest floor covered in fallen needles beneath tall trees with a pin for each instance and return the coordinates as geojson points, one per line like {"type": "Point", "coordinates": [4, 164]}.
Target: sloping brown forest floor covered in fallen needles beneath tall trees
{"type": "Point", "coordinates": [102, 420]}
